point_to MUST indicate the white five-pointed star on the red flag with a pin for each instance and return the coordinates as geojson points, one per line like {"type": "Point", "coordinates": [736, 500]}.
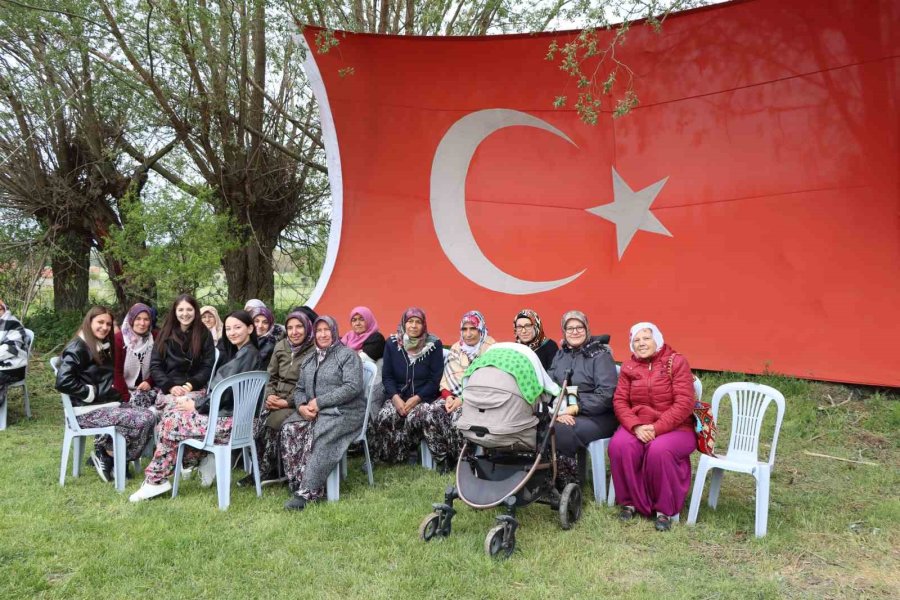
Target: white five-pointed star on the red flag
{"type": "Point", "coordinates": [630, 211]}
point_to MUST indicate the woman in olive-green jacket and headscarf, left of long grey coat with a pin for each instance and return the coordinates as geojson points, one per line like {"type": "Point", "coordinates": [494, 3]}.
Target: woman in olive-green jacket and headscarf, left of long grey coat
{"type": "Point", "coordinates": [278, 404]}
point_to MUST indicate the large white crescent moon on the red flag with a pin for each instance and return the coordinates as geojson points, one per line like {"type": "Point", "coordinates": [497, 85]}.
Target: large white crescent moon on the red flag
{"type": "Point", "coordinates": [448, 199]}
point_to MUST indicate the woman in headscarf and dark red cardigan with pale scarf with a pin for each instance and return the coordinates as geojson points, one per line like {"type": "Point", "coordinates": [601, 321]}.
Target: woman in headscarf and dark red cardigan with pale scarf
{"type": "Point", "coordinates": [132, 347]}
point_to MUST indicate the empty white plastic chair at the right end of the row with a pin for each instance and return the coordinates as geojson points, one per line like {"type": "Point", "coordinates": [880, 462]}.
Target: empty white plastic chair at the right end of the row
{"type": "Point", "coordinates": [749, 402]}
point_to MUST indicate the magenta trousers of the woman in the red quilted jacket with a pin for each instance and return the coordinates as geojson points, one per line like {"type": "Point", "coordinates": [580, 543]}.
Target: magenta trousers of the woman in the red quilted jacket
{"type": "Point", "coordinates": [653, 477]}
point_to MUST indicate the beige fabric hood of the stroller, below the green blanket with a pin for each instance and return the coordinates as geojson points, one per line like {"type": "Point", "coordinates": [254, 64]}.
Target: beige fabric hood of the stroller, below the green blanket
{"type": "Point", "coordinates": [492, 400]}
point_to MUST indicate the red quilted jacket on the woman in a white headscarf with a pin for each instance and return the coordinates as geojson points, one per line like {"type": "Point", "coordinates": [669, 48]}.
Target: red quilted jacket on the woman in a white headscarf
{"type": "Point", "coordinates": [647, 395]}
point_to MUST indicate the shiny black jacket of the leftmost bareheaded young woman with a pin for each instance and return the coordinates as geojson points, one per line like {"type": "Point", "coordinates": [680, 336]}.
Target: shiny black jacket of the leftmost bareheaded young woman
{"type": "Point", "coordinates": [86, 382]}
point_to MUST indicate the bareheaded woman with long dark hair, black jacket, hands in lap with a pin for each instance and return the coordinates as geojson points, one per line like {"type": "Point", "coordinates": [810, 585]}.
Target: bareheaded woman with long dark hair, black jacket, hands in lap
{"type": "Point", "coordinates": [182, 358]}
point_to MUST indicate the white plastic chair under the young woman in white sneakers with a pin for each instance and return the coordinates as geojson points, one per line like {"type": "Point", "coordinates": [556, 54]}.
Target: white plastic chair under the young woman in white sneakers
{"type": "Point", "coordinates": [246, 389]}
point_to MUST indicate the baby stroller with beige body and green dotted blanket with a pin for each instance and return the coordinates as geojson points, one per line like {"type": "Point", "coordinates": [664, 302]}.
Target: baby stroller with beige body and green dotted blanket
{"type": "Point", "coordinates": [508, 457]}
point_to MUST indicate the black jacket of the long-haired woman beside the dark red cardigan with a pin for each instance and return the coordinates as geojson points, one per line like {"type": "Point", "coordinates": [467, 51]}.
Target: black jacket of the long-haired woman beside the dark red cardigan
{"type": "Point", "coordinates": [179, 366]}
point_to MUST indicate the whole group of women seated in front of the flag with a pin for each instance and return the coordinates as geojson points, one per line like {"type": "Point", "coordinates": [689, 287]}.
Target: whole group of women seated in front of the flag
{"type": "Point", "coordinates": [314, 404]}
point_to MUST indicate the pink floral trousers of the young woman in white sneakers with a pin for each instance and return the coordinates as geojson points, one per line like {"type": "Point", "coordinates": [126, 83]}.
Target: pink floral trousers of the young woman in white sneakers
{"type": "Point", "coordinates": [175, 426]}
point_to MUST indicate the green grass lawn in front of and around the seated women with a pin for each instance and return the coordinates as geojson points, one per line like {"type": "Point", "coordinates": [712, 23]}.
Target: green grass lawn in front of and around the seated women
{"type": "Point", "coordinates": [833, 527]}
